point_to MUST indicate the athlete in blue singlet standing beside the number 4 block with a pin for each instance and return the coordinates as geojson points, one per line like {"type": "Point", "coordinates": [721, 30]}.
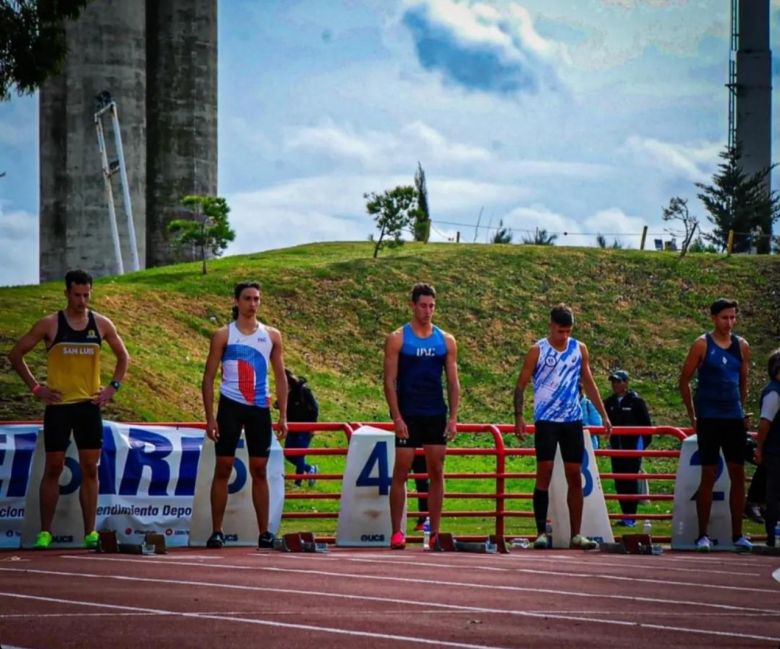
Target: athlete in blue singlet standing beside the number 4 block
{"type": "Point", "coordinates": [416, 357]}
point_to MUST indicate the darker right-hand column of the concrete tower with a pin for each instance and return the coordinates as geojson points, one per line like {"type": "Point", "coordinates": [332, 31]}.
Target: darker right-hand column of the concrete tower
{"type": "Point", "coordinates": [181, 104]}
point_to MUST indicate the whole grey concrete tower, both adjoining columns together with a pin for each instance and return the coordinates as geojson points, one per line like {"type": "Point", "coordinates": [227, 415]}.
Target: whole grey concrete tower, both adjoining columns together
{"type": "Point", "coordinates": [158, 60]}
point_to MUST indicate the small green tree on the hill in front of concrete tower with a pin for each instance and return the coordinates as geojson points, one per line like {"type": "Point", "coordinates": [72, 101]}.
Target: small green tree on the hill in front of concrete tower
{"type": "Point", "coordinates": [208, 230]}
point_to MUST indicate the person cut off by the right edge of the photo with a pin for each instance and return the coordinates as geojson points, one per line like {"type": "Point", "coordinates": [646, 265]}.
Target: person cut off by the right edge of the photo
{"type": "Point", "coordinates": [768, 445]}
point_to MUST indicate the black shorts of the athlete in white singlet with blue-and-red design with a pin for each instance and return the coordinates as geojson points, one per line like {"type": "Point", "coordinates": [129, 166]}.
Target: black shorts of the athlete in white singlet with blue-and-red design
{"type": "Point", "coordinates": [256, 423]}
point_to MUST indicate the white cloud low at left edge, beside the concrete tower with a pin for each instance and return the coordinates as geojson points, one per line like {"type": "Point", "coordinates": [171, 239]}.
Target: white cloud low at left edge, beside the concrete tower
{"type": "Point", "coordinates": [18, 248]}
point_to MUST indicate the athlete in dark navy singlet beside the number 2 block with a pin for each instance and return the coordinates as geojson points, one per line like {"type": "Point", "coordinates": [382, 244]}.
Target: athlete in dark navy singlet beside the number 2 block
{"type": "Point", "coordinates": [717, 416]}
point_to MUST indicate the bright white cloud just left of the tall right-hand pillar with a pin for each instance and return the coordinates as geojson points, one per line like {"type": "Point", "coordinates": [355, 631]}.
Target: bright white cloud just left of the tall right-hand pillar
{"type": "Point", "coordinates": [690, 162]}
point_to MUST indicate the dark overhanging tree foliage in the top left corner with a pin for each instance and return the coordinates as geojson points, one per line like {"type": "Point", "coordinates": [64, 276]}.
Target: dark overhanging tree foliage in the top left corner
{"type": "Point", "coordinates": [33, 44]}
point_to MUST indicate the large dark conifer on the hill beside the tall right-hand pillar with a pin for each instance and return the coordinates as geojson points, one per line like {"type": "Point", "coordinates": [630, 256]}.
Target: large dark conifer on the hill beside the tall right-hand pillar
{"type": "Point", "coordinates": [742, 203]}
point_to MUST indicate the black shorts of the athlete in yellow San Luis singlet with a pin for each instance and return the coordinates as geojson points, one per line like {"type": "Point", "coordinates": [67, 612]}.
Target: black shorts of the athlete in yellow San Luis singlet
{"type": "Point", "coordinates": [82, 419]}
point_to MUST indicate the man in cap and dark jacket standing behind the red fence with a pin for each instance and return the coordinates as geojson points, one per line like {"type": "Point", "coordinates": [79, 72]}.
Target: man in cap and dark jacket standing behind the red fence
{"type": "Point", "coordinates": [626, 408]}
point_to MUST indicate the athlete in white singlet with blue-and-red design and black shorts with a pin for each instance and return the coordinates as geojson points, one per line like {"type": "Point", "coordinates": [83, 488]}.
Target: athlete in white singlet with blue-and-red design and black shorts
{"type": "Point", "coordinates": [246, 349]}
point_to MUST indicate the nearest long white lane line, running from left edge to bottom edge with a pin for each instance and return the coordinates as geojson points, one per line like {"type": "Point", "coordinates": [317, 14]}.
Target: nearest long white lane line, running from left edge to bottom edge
{"type": "Point", "coordinates": [283, 625]}
